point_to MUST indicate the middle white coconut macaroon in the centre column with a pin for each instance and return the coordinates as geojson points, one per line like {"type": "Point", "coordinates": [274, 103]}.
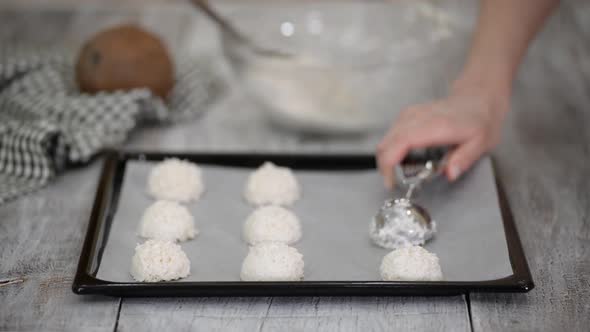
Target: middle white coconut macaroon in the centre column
{"type": "Point", "coordinates": [272, 224]}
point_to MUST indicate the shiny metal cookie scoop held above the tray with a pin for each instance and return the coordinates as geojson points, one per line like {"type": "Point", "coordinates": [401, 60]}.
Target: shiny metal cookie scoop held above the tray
{"type": "Point", "coordinates": [401, 222]}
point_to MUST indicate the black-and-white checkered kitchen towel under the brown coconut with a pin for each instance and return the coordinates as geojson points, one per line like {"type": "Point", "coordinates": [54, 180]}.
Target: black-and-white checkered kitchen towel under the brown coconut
{"type": "Point", "coordinates": [46, 124]}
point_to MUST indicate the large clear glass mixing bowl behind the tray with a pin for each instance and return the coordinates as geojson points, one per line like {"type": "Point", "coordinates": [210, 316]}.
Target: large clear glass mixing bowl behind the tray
{"type": "Point", "coordinates": [355, 63]}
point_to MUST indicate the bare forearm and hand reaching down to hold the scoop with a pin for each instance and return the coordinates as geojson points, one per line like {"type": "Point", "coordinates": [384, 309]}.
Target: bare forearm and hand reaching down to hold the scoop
{"type": "Point", "coordinates": [470, 118]}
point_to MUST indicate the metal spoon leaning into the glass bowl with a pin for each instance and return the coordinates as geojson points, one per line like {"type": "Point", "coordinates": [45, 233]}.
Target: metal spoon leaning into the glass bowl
{"type": "Point", "coordinates": [234, 34]}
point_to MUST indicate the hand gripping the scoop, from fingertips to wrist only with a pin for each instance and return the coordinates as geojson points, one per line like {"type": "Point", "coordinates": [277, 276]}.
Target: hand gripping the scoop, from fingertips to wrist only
{"type": "Point", "coordinates": [470, 119]}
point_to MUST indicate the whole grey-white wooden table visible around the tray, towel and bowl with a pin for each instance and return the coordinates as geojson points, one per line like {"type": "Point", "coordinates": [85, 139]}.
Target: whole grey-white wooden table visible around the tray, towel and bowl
{"type": "Point", "coordinates": [544, 163]}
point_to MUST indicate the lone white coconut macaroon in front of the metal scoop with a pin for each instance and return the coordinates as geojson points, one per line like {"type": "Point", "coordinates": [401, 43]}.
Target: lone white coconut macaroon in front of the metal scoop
{"type": "Point", "coordinates": [412, 263]}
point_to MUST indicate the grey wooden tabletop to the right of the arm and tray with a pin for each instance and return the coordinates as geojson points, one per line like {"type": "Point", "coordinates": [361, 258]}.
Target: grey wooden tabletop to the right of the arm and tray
{"type": "Point", "coordinates": [545, 165]}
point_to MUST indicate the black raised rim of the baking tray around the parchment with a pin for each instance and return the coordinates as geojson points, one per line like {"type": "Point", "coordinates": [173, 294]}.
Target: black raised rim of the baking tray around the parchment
{"type": "Point", "coordinates": [85, 283]}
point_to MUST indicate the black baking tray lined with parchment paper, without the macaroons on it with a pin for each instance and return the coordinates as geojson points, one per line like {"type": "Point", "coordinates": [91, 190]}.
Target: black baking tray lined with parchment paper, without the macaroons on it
{"type": "Point", "coordinates": [108, 215]}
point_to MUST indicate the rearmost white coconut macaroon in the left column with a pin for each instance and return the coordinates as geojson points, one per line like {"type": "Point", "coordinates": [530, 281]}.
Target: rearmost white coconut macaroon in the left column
{"type": "Point", "coordinates": [176, 180]}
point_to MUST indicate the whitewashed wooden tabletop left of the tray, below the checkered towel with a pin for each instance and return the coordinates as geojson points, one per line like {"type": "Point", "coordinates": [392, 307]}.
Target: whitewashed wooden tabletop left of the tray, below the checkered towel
{"type": "Point", "coordinates": [40, 241]}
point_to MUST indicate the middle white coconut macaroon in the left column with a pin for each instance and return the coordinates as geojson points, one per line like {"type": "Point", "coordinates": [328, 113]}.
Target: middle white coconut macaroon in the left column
{"type": "Point", "coordinates": [167, 220]}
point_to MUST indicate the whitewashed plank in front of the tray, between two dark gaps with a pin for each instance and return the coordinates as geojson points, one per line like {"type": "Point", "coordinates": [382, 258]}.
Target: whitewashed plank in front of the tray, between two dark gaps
{"type": "Point", "coordinates": [295, 314]}
